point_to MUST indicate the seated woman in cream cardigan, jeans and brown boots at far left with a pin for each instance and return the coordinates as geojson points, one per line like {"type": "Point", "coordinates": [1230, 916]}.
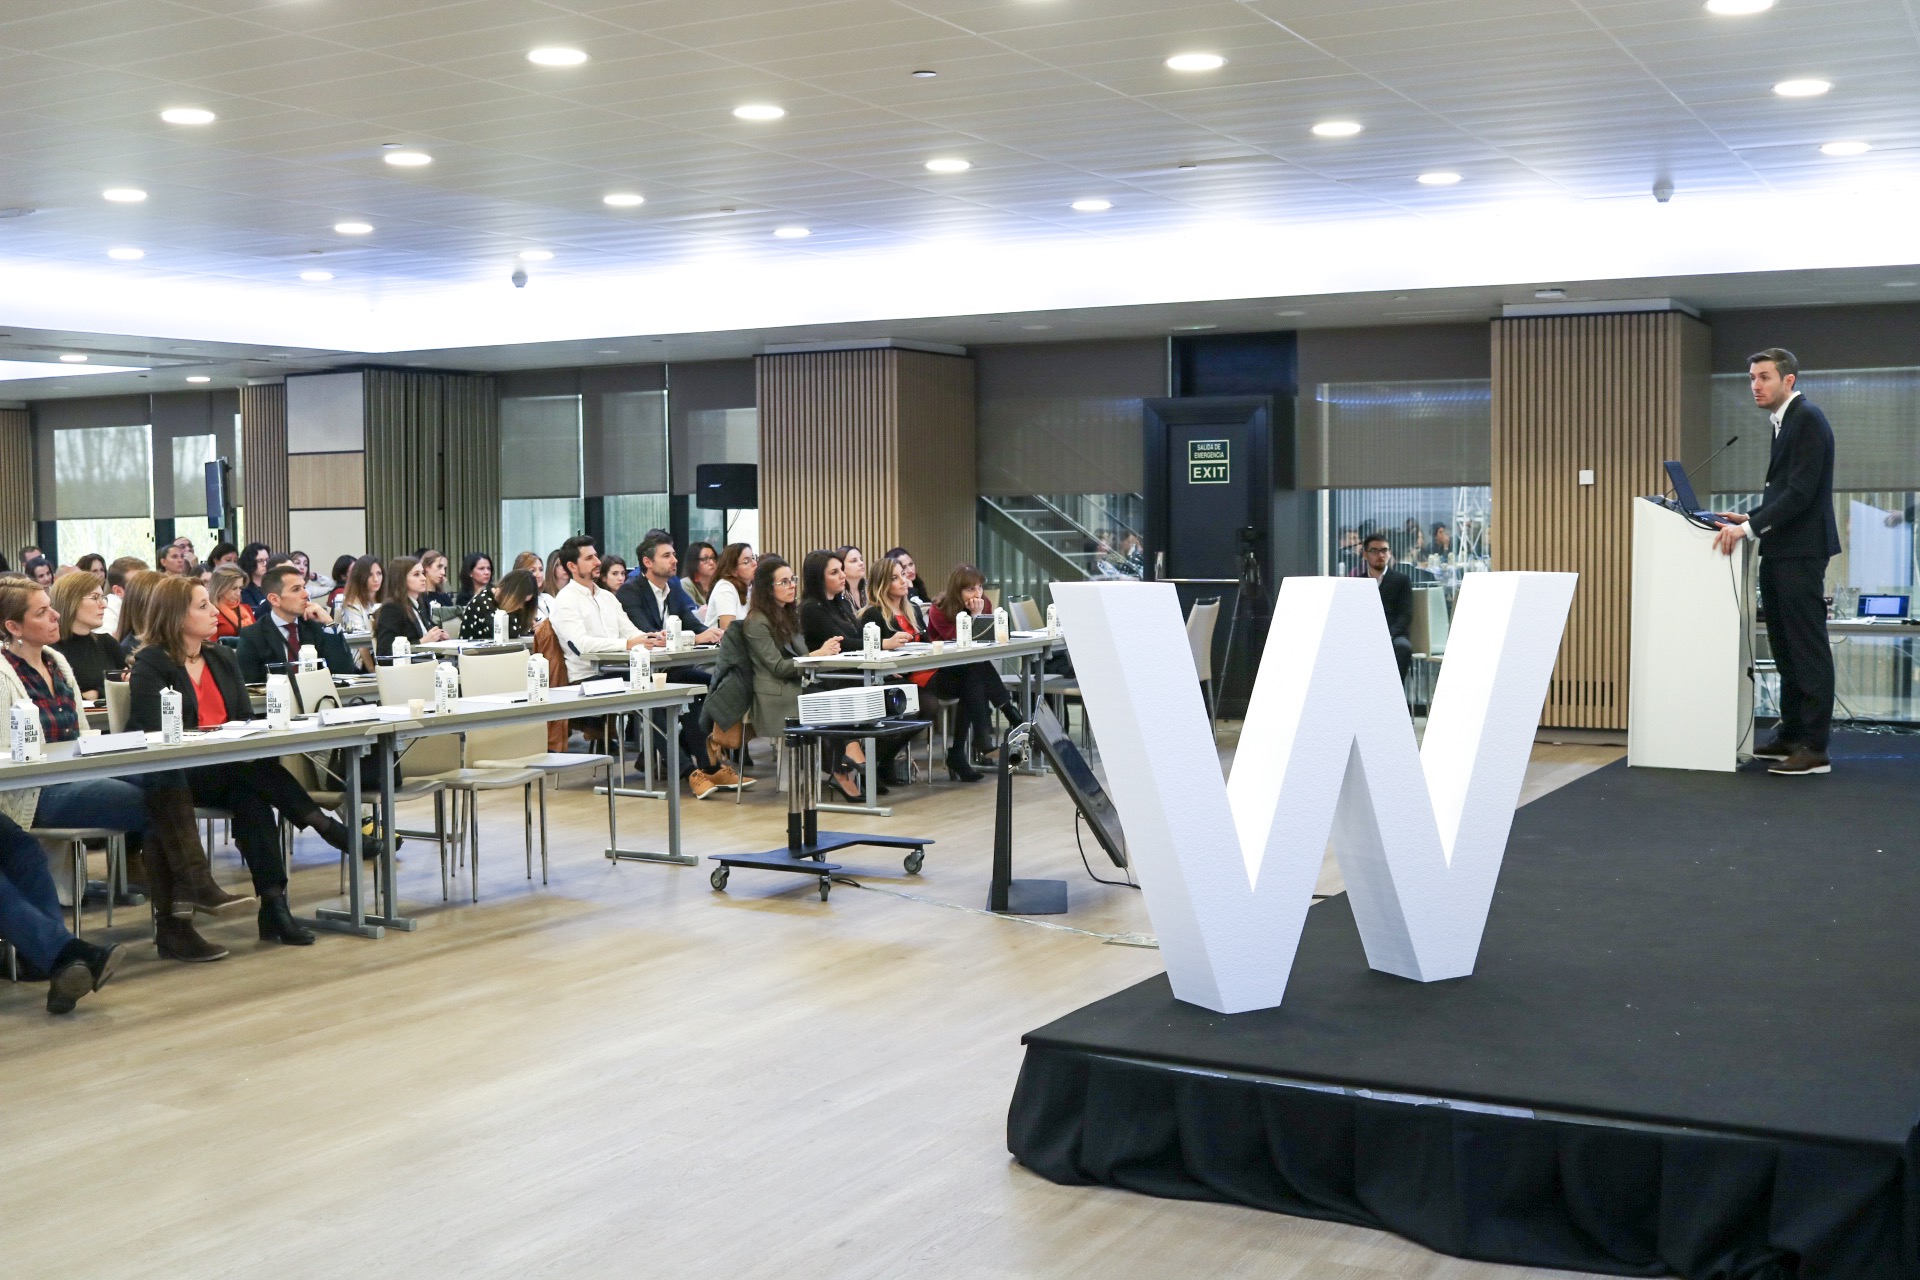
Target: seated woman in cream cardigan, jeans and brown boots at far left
{"type": "Point", "coordinates": [153, 811]}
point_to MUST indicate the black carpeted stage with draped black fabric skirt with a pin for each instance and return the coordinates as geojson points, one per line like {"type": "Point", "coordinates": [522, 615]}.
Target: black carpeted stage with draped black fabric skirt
{"type": "Point", "coordinates": [1691, 1047]}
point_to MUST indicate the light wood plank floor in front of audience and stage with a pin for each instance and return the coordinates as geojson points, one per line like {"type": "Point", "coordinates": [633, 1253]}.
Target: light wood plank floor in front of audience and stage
{"type": "Point", "coordinates": [619, 1076]}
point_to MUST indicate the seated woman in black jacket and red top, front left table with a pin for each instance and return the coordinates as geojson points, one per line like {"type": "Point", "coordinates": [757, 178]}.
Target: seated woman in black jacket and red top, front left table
{"type": "Point", "coordinates": [181, 655]}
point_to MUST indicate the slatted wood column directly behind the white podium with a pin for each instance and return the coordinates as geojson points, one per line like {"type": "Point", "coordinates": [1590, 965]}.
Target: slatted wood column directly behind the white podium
{"type": "Point", "coordinates": [1618, 394]}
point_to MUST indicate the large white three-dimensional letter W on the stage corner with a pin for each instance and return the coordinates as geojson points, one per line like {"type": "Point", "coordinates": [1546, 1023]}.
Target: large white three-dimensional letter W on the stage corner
{"type": "Point", "coordinates": [1228, 868]}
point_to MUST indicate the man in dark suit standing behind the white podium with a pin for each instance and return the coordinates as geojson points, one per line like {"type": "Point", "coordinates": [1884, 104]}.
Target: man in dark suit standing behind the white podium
{"type": "Point", "coordinates": [1798, 538]}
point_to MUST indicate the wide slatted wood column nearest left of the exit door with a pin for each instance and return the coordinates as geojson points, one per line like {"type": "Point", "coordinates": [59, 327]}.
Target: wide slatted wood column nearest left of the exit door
{"type": "Point", "coordinates": [869, 448]}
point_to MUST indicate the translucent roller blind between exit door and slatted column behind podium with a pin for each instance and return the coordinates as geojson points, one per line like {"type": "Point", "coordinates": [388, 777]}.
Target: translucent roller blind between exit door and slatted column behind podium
{"type": "Point", "coordinates": [1399, 435]}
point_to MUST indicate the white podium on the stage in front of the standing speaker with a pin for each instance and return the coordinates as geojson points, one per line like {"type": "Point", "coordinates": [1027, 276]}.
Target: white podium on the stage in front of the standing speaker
{"type": "Point", "coordinates": [1691, 684]}
